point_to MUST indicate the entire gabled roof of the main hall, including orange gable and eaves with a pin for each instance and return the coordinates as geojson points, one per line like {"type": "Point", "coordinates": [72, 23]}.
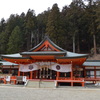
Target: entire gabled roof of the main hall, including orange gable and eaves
{"type": "Point", "coordinates": [45, 49]}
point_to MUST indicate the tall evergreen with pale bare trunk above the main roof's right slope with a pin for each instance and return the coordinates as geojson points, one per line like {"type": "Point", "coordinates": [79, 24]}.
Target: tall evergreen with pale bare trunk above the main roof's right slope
{"type": "Point", "coordinates": [74, 17]}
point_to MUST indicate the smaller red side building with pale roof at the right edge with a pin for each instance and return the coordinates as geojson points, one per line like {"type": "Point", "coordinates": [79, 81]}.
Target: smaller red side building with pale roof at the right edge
{"type": "Point", "coordinates": [92, 70]}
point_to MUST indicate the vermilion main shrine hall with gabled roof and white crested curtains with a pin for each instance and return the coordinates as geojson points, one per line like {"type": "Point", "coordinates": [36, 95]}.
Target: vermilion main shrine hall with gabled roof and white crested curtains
{"type": "Point", "coordinates": [49, 62]}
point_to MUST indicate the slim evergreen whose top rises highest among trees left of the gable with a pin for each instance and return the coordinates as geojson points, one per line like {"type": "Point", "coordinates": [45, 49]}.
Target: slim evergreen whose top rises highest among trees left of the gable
{"type": "Point", "coordinates": [30, 26]}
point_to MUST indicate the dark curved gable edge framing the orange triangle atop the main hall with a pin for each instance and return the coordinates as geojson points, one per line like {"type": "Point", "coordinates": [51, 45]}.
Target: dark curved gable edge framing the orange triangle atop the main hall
{"type": "Point", "coordinates": [51, 42]}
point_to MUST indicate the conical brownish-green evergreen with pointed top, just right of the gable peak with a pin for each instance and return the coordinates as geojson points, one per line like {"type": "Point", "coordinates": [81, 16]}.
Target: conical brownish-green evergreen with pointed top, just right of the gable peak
{"type": "Point", "coordinates": [54, 28]}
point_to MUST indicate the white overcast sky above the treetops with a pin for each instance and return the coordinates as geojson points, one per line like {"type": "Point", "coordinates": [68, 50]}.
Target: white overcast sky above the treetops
{"type": "Point", "coordinates": [8, 7]}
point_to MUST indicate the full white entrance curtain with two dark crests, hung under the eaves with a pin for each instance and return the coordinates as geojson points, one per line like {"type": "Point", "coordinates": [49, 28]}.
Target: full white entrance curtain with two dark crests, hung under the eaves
{"type": "Point", "coordinates": [39, 65]}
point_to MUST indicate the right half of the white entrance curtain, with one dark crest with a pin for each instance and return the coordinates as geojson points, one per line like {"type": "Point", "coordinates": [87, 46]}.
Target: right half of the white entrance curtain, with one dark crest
{"type": "Point", "coordinates": [61, 67]}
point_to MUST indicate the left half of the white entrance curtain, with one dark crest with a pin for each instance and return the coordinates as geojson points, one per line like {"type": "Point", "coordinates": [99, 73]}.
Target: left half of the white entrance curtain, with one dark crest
{"type": "Point", "coordinates": [28, 67]}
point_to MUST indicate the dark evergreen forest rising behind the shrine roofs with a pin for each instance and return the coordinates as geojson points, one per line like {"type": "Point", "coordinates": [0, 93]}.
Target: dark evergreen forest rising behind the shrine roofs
{"type": "Point", "coordinates": [74, 28]}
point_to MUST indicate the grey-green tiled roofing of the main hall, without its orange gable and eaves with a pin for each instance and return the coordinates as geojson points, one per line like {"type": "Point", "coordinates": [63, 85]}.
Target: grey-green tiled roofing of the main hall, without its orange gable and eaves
{"type": "Point", "coordinates": [67, 54]}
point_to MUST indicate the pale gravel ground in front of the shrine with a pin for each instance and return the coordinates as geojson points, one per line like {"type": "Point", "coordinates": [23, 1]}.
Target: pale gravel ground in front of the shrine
{"type": "Point", "coordinates": [68, 93]}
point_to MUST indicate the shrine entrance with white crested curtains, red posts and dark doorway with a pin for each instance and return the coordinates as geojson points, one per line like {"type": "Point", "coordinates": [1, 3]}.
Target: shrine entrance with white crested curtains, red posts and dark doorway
{"type": "Point", "coordinates": [46, 70]}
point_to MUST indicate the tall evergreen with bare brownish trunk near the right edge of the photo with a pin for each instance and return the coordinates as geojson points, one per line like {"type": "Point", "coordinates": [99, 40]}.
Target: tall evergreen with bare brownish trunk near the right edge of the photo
{"type": "Point", "coordinates": [91, 12]}
